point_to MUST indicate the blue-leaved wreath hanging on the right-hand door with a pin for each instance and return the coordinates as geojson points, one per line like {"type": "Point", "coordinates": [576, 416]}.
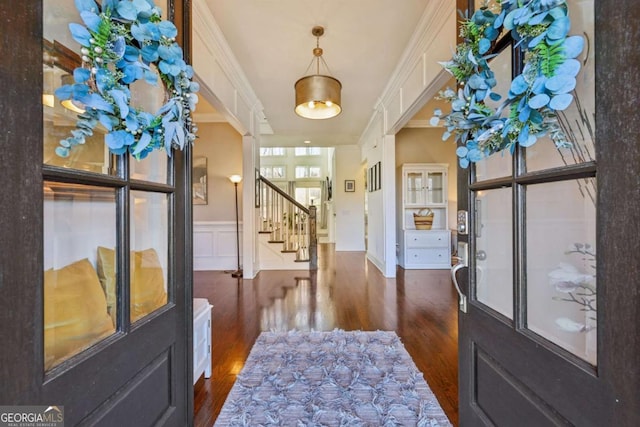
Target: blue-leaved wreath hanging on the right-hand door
{"type": "Point", "coordinates": [544, 86]}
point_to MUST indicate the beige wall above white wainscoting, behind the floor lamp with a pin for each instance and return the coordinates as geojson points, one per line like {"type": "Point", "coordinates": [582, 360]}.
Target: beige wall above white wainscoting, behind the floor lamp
{"type": "Point", "coordinates": [222, 145]}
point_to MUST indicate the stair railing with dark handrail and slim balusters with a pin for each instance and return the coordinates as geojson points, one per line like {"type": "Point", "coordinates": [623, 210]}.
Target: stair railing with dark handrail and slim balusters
{"type": "Point", "coordinates": [288, 222]}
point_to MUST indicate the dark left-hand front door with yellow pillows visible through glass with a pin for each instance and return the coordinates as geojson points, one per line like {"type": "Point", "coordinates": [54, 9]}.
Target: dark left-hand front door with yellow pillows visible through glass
{"type": "Point", "coordinates": [95, 258]}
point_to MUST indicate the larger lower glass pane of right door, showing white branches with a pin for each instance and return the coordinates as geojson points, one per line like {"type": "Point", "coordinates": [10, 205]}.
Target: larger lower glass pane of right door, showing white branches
{"type": "Point", "coordinates": [561, 264]}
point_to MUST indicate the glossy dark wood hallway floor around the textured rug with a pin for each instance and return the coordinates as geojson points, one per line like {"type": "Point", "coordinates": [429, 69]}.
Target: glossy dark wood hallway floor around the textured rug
{"type": "Point", "coordinates": [347, 292]}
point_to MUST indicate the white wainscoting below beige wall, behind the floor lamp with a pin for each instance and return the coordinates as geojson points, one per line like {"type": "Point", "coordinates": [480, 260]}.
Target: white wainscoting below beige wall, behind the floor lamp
{"type": "Point", "coordinates": [214, 245]}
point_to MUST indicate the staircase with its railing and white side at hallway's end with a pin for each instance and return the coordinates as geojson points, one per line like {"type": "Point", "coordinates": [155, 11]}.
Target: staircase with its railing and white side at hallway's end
{"type": "Point", "coordinates": [287, 230]}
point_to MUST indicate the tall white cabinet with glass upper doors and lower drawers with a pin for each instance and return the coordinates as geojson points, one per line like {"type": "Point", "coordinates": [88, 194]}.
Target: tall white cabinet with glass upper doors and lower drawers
{"type": "Point", "coordinates": [424, 189]}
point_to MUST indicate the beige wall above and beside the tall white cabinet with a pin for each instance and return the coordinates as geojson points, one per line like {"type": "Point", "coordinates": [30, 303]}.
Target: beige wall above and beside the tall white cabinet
{"type": "Point", "coordinates": [425, 145]}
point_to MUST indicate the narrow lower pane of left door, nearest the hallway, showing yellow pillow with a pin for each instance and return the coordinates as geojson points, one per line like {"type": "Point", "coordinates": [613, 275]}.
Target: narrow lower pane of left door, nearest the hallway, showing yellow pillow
{"type": "Point", "coordinates": [149, 252]}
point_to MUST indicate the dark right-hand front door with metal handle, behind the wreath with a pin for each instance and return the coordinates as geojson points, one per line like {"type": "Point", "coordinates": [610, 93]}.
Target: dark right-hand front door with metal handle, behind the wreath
{"type": "Point", "coordinates": [548, 320]}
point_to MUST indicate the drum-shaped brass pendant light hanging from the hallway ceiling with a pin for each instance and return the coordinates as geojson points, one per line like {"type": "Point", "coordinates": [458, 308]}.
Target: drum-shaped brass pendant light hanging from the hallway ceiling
{"type": "Point", "coordinates": [318, 95]}
